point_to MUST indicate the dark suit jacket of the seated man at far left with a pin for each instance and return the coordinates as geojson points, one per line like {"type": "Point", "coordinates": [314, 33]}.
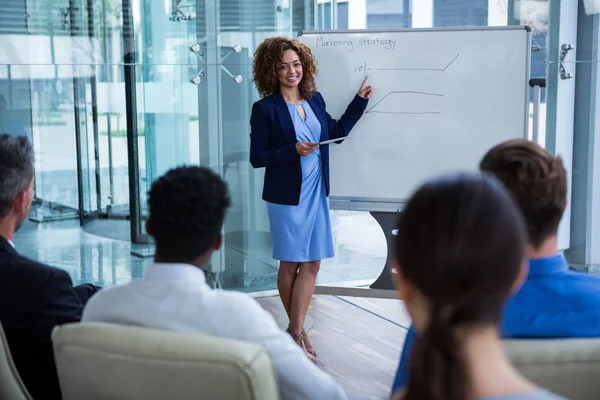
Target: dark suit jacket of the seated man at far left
{"type": "Point", "coordinates": [34, 298]}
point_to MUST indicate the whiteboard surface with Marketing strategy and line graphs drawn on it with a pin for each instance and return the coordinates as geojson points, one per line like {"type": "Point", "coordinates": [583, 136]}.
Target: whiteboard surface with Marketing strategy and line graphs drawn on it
{"type": "Point", "coordinates": [442, 98]}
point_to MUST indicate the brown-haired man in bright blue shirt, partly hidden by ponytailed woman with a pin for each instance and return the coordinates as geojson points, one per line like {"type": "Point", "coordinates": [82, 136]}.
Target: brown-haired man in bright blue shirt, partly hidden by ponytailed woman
{"type": "Point", "coordinates": [553, 302]}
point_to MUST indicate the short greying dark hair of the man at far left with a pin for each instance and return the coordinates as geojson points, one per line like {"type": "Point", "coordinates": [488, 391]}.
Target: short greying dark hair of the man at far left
{"type": "Point", "coordinates": [16, 169]}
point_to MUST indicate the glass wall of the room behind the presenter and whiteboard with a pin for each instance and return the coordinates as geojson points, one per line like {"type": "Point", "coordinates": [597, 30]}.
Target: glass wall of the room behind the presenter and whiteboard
{"type": "Point", "coordinates": [115, 92]}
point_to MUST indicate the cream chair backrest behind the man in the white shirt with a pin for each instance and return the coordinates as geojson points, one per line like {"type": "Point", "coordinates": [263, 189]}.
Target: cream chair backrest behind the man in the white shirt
{"type": "Point", "coordinates": [108, 361]}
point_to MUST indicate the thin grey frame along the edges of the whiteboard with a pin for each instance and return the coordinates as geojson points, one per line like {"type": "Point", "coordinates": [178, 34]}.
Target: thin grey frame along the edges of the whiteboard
{"type": "Point", "coordinates": [394, 205]}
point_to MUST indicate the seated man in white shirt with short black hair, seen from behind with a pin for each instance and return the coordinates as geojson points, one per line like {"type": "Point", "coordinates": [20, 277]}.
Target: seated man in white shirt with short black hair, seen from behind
{"type": "Point", "coordinates": [187, 208]}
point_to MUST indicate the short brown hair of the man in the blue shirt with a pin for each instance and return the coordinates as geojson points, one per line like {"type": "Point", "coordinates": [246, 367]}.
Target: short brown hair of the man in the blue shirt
{"type": "Point", "coordinates": [537, 181]}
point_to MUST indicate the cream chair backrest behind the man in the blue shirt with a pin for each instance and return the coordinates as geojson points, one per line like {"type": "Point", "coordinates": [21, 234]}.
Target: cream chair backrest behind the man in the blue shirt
{"type": "Point", "coordinates": [567, 367]}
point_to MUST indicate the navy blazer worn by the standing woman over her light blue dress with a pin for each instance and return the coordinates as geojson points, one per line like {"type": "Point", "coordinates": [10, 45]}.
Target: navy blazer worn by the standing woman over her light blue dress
{"type": "Point", "coordinates": [273, 143]}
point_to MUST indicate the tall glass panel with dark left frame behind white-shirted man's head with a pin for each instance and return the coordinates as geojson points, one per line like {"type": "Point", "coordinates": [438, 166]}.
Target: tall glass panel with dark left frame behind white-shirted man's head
{"type": "Point", "coordinates": [161, 101]}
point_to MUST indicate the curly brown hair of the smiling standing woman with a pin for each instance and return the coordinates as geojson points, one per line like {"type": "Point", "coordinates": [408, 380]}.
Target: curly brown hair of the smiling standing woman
{"type": "Point", "coordinates": [267, 57]}
